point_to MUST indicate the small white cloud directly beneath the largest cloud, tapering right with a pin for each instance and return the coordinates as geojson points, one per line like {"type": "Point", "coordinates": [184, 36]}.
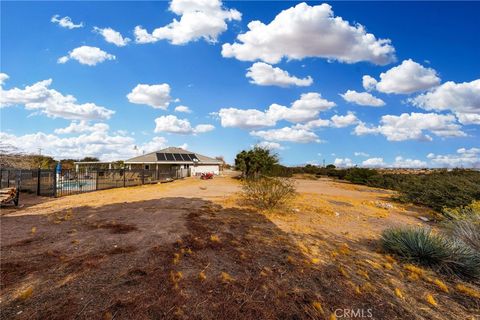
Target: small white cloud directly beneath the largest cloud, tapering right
{"type": "Point", "coordinates": [264, 74]}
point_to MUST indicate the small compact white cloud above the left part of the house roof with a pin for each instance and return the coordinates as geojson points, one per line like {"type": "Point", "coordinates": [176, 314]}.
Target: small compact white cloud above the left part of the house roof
{"type": "Point", "coordinates": [155, 95]}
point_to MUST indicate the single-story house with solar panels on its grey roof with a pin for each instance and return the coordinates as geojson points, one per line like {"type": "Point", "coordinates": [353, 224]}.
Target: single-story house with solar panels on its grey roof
{"type": "Point", "coordinates": [176, 158]}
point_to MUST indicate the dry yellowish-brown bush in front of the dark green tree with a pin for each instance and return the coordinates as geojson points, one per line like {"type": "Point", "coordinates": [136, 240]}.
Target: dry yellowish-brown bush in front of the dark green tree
{"type": "Point", "coordinates": [268, 192]}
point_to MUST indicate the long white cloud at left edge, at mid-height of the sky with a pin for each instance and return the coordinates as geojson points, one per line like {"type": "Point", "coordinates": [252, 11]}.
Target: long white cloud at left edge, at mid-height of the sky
{"type": "Point", "coordinates": [39, 97]}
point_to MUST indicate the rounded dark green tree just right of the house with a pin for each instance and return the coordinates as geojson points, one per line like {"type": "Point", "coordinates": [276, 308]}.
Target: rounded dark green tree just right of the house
{"type": "Point", "coordinates": [256, 162]}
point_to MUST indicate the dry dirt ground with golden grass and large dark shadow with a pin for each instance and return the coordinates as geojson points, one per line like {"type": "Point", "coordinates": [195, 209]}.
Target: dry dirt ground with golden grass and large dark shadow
{"type": "Point", "coordinates": [190, 250]}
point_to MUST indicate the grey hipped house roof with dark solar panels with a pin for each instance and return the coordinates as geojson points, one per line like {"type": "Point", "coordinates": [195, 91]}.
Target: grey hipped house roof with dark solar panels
{"type": "Point", "coordinates": [173, 155]}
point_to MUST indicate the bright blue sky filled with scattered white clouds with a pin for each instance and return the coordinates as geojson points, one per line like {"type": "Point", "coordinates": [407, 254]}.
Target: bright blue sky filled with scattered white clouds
{"type": "Point", "coordinates": [363, 83]}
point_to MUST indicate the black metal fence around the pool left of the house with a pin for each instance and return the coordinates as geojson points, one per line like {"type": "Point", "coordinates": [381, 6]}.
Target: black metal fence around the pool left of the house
{"type": "Point", "coordinates": [67, 182]}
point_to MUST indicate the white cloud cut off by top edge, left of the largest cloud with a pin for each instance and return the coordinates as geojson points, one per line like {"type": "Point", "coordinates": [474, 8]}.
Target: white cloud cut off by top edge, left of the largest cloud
{"type": "Point", "coordinates": [198, 19]}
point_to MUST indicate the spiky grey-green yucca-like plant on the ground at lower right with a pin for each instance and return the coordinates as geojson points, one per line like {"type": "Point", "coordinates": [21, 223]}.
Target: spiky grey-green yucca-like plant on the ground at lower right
{"type": "Point", "coordinates": [422, 246]}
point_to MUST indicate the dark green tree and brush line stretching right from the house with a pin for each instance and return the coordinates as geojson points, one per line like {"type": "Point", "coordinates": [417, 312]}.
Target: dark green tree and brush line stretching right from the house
{"type": "Point", "coordinates": [438, 189]}
